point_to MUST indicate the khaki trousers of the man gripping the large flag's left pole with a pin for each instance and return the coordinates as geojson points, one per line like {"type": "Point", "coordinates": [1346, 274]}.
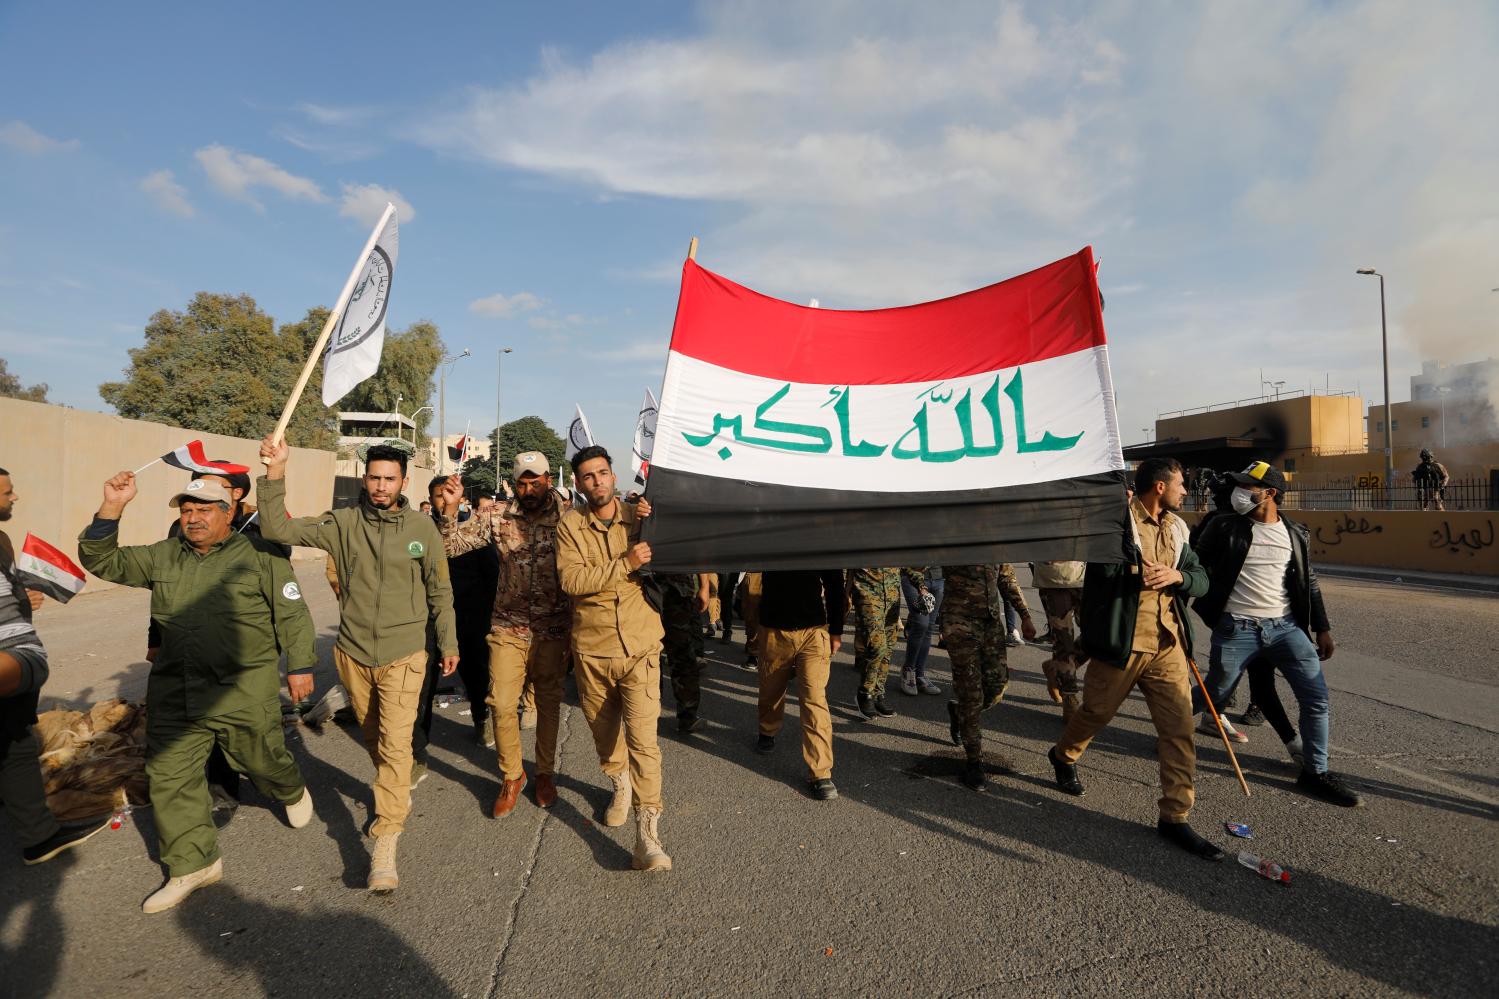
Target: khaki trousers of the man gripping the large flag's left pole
{"type": "Point", "coordinates": [626, 694]}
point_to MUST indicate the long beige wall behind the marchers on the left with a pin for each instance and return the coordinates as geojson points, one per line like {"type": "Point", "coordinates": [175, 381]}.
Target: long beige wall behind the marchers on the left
{"type": "Point", "coordinates": [59, 460]}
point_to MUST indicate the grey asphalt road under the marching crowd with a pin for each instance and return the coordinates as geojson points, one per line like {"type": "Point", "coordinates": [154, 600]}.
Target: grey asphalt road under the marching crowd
{"type": "Point", "coordinates": [909, 884]}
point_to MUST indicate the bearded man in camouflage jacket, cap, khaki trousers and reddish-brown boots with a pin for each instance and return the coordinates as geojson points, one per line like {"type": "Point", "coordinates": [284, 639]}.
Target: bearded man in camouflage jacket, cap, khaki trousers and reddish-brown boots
{"type": "Point", "coordinates": [528, 634]}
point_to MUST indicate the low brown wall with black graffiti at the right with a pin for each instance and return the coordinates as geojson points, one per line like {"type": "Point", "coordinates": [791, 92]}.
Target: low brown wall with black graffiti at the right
{"type": "Point", "coordinates": [1402, 539]}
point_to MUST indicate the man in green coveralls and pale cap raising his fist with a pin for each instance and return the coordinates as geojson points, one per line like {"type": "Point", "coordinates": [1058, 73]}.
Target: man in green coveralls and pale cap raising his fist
{"type": "Point", "coordinates": [227, 607]}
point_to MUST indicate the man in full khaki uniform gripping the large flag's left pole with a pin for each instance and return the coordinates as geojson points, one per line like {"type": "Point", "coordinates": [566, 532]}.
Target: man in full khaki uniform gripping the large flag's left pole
{"type": "Point", "coordinates": [617, 638]}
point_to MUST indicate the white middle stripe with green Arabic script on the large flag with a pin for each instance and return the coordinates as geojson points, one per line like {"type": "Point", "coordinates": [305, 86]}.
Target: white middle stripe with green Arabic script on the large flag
{"type": "Point", "coordinates": [731, 425]}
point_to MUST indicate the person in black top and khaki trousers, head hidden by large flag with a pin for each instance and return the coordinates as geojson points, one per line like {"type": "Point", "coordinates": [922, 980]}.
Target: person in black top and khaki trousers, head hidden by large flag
{"type": "Point", "coordinates": [801, 628]}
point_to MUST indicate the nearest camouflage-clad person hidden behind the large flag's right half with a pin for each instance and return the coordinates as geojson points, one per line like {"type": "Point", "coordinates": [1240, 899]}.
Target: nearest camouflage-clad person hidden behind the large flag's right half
{"type": "Point", "coordinates": [974, 628]}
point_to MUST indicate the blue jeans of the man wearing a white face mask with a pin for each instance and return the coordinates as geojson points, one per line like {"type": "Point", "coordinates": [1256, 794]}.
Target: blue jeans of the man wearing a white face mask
{"type": "Point", "coordinates": [1287, 647]}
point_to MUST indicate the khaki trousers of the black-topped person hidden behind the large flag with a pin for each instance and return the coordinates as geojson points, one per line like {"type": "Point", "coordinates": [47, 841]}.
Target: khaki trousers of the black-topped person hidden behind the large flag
{"type": "Point", "coordinates": [810, 652]}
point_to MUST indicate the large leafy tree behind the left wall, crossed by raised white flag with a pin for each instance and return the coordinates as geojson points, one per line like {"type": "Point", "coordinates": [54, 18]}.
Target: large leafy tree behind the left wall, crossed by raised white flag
{"type": "Point", "coordinates": [223, 367]}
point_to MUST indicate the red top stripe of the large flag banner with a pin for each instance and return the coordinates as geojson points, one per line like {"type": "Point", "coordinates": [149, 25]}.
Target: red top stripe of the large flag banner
{"type": "Point", "coordinates": [1049, 313]}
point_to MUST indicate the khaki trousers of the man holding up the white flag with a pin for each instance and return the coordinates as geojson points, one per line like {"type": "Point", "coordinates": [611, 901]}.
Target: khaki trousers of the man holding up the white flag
{"type": "Point", "coordinates": [386, 701]}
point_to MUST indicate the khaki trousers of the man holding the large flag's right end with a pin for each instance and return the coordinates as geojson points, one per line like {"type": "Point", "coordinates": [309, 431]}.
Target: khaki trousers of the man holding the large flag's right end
{"type": "Point", "coordinates": [1162, 679]}
